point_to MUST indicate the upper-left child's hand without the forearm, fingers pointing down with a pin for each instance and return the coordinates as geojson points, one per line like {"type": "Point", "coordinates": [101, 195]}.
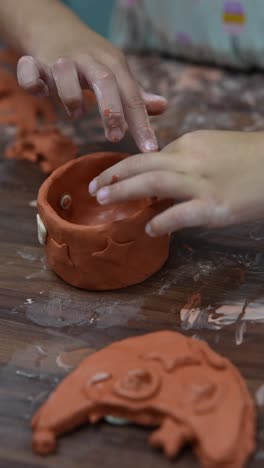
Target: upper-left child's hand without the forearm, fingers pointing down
{"type": "Point", "coordinates": [93, 62]}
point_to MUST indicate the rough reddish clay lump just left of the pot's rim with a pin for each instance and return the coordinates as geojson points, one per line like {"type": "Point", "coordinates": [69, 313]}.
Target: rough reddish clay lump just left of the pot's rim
{"type": "Point", "coordinates": [47, 146]}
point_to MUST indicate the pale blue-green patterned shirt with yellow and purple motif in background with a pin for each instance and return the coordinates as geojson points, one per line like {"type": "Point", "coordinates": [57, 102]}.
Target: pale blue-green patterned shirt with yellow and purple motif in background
{"type": "Point", "coordinates": [226, 32]}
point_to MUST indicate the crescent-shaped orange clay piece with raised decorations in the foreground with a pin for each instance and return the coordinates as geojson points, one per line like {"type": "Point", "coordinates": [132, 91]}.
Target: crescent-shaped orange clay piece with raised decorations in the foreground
{"type": "Point", "coordinates": [181, 386]}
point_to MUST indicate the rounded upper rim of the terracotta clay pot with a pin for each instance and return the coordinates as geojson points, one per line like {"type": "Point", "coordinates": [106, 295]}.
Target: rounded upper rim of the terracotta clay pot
{"type": "Point", "coordinates": [48, 213]}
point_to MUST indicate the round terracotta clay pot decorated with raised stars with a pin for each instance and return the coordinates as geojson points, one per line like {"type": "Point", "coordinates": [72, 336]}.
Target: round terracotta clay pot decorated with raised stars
{"type": "Point", "coordinates": [93, 246]}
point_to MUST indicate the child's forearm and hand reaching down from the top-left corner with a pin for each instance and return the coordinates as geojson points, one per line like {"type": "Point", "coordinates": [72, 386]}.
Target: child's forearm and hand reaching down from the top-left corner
{"type": "Point", "coordinates": [64, 55]}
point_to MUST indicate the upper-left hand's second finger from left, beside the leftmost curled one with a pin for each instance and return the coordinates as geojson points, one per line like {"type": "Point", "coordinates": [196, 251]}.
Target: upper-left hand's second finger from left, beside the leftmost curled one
{"type": "Point", "coordinates": [68, 86]}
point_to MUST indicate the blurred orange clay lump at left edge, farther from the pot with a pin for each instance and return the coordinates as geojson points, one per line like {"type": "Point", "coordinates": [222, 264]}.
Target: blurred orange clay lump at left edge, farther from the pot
{"type": "Point", "coordinates": [17, 107]}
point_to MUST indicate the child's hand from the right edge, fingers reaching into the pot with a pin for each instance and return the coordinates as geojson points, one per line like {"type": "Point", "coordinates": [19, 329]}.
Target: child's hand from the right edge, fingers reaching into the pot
{"type": "Point", "coordinates": [215, 177]}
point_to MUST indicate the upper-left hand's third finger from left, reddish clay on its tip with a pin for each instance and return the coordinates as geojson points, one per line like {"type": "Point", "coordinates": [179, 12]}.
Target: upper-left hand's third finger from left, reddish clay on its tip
{"type": "Point", "coordinates": [104, 84]}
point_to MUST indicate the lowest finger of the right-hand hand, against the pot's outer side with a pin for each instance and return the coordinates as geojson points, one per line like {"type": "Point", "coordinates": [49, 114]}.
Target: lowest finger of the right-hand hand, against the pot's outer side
{"type": "Point", "coordinates": [192, 213]}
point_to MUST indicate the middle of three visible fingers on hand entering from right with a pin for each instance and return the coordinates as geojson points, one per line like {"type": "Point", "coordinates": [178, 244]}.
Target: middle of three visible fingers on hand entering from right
{"type": "Point", "coordinates": [159, 184]}
